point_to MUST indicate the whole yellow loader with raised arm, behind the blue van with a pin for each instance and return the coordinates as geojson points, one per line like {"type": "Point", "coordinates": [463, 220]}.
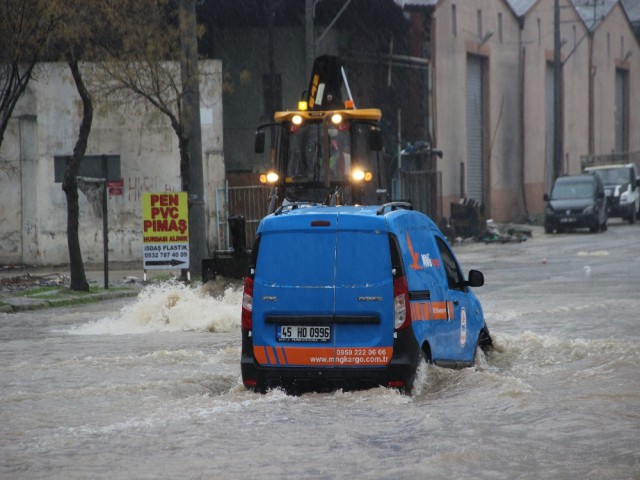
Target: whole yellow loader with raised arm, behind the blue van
{"type": "Point", "coordinates": [327, 151]}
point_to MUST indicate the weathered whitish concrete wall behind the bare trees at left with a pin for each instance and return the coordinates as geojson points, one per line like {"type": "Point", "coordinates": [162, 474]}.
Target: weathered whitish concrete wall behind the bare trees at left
{"type": "Point", "coordinates": [33, 206]}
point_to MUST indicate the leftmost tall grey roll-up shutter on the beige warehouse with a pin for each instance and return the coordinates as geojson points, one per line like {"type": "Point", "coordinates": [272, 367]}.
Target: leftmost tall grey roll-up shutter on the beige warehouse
{"type": "Point", "coordinates": [475, 118]}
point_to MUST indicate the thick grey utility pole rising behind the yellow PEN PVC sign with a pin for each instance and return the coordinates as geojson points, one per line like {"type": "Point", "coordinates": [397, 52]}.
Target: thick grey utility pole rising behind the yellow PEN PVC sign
{"type": "Point", "coordinates": [190, 118]}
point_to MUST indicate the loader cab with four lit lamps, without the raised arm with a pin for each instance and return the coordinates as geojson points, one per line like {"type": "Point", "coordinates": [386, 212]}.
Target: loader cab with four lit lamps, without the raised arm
{"type": "Point", "coordinates": [328, 160]}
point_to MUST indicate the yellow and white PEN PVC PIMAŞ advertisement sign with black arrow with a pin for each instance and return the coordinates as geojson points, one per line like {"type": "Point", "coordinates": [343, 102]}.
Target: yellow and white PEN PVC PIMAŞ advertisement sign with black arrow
{"type": "Point", "coordinates": [165, 230]}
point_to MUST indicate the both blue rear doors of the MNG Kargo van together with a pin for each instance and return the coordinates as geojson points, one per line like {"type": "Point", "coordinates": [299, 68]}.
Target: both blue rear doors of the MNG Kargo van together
{"type": "Point", "coordinates": [323, 292]}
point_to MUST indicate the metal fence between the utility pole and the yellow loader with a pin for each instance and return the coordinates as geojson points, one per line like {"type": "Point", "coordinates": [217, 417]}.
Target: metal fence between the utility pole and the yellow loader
{"type": "Point", "coordinates": [251, 202]}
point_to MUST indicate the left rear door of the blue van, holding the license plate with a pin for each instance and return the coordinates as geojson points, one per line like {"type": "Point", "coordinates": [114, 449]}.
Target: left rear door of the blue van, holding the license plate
{"type": "Point", "coordinates": [293, 291]}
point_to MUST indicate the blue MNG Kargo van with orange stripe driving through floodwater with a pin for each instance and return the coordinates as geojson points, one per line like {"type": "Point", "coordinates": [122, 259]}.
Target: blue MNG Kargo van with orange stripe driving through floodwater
{"type": "Point", "coordinates": [354, 297]}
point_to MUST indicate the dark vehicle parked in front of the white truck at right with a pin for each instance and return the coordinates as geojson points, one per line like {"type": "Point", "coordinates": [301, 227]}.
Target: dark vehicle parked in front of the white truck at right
{"type": "Point", "coordinates": [576, 201]}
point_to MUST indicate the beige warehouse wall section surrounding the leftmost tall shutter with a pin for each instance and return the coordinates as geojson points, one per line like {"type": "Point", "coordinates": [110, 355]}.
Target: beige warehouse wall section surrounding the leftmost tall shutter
{"type": "Point", "coordinates": [502, 137]}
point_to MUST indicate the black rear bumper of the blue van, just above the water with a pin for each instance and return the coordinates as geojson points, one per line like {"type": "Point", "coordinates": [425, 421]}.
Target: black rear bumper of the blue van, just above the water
{"type": "Point", "coordinates": [399, 372]}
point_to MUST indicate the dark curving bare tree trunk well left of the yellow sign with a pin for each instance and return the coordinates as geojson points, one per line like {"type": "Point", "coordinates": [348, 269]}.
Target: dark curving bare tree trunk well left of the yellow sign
{"type": "Point", "coordinates": [70, 183]}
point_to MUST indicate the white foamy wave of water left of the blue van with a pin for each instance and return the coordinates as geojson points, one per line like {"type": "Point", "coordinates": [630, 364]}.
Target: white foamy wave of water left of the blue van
{"type": "Point", "coordinates": [171, 307]}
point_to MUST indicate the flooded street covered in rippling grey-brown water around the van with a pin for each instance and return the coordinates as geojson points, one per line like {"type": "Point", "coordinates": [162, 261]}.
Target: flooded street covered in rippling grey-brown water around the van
{"type": "Point", "coordinates": [150, 387]}
